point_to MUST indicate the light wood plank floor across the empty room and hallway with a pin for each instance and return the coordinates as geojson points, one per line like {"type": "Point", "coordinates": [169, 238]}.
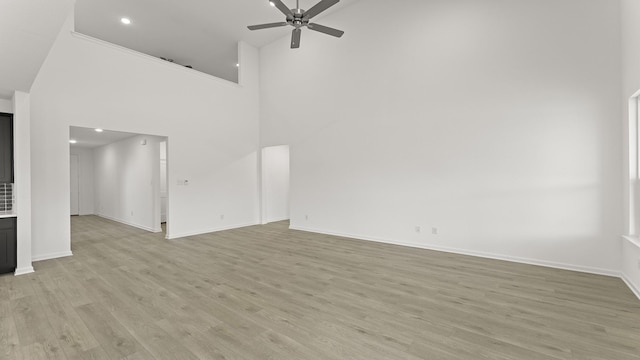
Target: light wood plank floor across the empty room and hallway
{"type": "Point", "coordinates": [266, 292]}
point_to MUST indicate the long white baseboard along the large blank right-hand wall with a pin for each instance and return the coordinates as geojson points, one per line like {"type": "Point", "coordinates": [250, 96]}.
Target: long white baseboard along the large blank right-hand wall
{"type": "Point", "coordinates": [551, 264]}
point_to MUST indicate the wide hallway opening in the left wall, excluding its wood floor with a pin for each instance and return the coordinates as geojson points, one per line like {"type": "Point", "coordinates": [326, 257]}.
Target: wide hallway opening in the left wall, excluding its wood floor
{"type": "Point", "coordinates": [119, 176]}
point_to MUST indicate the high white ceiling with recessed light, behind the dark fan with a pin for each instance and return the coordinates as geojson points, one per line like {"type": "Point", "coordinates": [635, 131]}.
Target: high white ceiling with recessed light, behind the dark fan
{"type": "Point", "coordinates": [200, 33]}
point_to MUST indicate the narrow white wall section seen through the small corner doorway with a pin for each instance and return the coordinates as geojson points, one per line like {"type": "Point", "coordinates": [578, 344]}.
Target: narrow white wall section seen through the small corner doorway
{"type": "Point", "coordinates": [275, 183]}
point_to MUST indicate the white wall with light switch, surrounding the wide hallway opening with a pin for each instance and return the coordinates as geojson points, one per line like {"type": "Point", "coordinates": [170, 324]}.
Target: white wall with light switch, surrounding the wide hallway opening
{"type": "Point", "coordinates": [212, 127]}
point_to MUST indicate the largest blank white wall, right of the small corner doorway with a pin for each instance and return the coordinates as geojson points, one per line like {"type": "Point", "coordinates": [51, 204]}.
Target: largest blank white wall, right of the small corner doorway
{"type": "Point", "coordinates": [494, 121]}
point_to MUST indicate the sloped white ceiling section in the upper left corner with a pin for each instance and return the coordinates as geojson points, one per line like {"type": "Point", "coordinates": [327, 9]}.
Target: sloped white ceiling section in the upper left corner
{"type": "Point", "coordinates": [28, 28]}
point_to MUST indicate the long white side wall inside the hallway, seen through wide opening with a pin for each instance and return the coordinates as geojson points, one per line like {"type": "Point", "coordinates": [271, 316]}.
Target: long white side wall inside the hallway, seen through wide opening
{"type": "Point", "coordinates": [127, 181]}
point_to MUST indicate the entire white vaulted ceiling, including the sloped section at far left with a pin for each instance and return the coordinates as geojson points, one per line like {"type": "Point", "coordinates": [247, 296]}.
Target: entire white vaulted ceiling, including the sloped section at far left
{"type": "Point", "coordinates": [200, 33]}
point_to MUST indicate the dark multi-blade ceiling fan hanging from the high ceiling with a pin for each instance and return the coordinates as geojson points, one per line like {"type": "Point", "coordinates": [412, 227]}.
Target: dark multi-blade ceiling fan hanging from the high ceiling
{"type": "Point", "coordinates": [299, 18]}
